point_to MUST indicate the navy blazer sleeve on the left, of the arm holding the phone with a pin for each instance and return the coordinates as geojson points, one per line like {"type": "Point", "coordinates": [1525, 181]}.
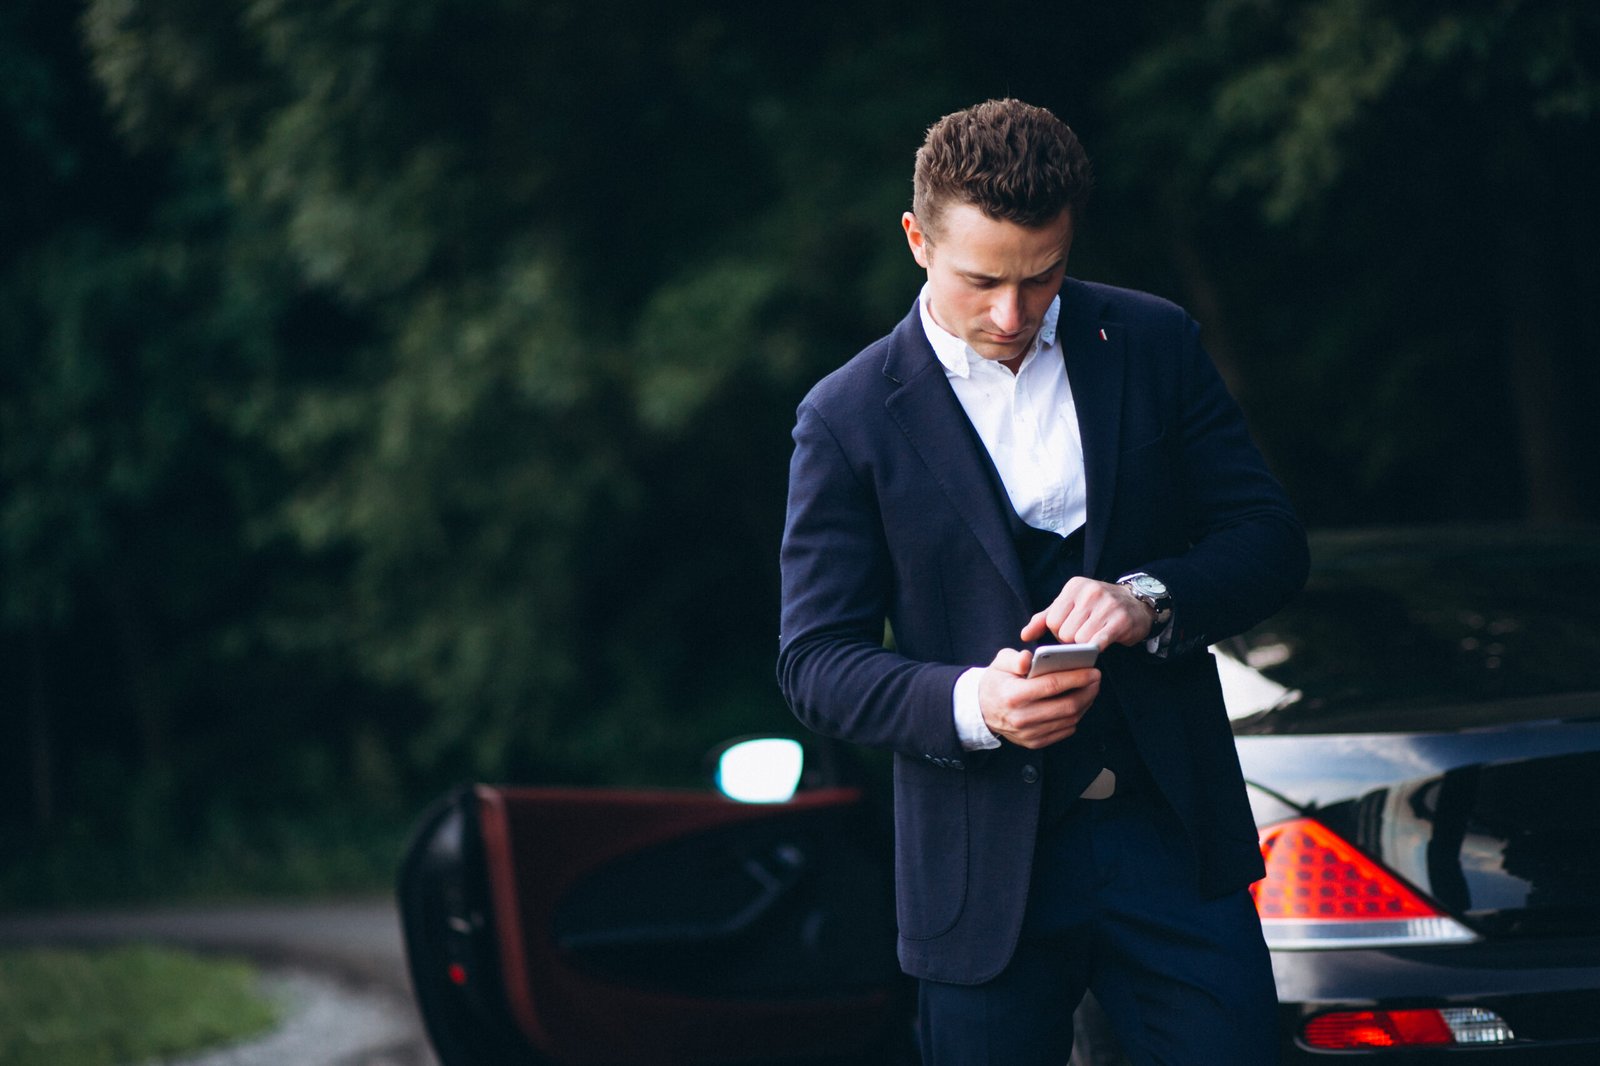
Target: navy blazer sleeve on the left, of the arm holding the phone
{"type": "Point", "coordinates": [838, 585]}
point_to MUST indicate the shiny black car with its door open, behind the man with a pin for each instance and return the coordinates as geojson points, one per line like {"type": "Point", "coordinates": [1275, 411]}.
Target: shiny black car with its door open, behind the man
{"type": "Point", "coordinates": [1422, 739]}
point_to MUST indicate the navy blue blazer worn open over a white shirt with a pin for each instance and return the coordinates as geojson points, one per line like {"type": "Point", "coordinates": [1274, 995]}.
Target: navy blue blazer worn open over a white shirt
{"type": "Point", "coordinates": [894, 516]}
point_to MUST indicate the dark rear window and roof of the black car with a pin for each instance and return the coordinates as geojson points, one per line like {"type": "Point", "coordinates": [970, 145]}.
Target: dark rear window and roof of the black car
{"type": "Point", "coordinates": [1431, 630]}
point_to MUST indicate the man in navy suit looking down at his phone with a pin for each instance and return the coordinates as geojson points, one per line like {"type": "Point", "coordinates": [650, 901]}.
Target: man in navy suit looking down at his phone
{"type": "Point", "coordinates": [1036, 459]}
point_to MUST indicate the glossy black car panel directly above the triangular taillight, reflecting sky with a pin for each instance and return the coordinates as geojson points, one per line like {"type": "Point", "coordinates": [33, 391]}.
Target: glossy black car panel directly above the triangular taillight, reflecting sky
{"type": "Point", "coordinates": [1463, 817]}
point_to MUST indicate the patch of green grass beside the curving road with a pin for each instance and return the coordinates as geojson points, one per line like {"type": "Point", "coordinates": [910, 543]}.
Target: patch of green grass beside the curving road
{"type": "Point", "coordinates": [122, 1006]}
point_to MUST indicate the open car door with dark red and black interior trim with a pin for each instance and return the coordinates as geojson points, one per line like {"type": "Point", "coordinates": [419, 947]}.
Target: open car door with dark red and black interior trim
{"type": "Point", "coordinates": [644, 928]}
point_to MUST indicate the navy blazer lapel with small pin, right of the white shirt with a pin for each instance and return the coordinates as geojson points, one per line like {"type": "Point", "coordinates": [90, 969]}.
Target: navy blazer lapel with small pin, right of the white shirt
{"type": "Point", "coordinates": [1095, 353]}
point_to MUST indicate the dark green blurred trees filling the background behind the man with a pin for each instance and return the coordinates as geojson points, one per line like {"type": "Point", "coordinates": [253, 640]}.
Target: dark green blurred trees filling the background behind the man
{"type": "Point", "coordinates": [398, 393]}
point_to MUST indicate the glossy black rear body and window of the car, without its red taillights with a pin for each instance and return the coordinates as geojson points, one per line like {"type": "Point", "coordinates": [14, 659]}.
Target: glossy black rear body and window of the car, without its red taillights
{"type": "Point", "coordinates": [1434, 700]}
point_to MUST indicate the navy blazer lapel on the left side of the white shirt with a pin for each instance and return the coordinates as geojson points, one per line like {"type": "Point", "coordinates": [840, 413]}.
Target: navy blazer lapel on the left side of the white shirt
{"type": "Point", "coordinates": [927, 412]}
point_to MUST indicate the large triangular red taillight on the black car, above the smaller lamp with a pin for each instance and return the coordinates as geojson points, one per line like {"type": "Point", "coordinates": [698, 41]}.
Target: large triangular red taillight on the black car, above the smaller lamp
{"type": "Point", "coordinates": [1321, 892]}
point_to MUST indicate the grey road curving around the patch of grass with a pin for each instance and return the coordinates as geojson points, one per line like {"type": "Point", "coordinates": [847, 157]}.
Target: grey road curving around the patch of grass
{"type": "Point", "coordinates": [338, 969]}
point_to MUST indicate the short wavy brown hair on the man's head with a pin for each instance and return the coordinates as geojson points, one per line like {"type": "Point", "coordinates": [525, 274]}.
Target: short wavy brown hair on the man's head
{"type": "Point", "coordinates": [1009, 159]}
